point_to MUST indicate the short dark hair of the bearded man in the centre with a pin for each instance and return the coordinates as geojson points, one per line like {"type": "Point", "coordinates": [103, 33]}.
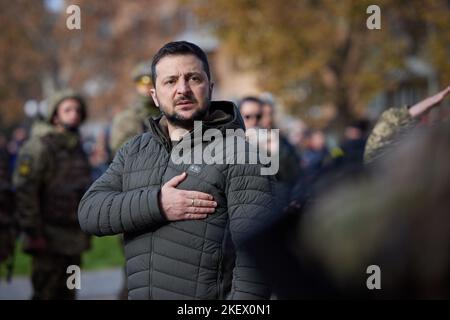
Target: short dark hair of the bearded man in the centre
{"type": "Point", "coordinates": [180, 48]}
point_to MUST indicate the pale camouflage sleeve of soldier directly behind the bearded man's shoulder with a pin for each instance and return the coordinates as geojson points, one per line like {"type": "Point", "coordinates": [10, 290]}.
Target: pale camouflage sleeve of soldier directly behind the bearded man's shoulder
{"type": "Point", "coordinates": [123, 128]}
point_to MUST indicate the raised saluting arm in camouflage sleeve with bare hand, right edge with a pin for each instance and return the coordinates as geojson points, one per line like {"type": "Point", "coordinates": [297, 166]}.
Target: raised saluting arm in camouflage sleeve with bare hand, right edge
{"type": "Point", "coordinates": [395, 123]}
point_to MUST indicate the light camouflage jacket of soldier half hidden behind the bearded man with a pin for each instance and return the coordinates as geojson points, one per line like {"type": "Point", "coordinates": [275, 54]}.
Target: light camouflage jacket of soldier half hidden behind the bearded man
{"type": "Point", "coordinates": [131, 122]}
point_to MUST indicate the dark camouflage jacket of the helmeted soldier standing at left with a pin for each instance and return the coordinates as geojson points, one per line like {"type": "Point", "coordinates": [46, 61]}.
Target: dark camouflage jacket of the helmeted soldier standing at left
{"type": "Point", "coordinates": [51, 176]}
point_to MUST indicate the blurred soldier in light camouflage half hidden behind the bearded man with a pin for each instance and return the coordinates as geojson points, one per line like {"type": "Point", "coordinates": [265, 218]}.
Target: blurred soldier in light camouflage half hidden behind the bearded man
{"type": "Point", "coordinates": [131, 121]}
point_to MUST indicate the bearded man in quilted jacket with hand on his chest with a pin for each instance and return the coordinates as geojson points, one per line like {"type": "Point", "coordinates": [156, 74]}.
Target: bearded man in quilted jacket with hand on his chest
{"type": "Point", "coordinates": [185, 223]}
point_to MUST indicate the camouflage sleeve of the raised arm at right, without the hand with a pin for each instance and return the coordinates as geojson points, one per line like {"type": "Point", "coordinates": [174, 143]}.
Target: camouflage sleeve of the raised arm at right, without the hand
{"type": "Point", "coordinates": [392, 124]}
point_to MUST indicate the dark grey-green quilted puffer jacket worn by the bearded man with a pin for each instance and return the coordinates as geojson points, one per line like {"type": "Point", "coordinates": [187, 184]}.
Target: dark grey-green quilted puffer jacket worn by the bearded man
{"type": "Point", "coordinates": [189, 259]}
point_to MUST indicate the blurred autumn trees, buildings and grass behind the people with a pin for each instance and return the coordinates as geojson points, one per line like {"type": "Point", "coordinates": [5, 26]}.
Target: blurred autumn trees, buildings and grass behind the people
{"type": "Point", "coordinates": [316, 60]}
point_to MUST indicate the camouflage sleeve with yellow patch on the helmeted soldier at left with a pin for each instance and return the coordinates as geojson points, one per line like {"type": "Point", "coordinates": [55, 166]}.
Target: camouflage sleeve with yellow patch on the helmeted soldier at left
{"type": "Point", "coordinates": [28, 178]}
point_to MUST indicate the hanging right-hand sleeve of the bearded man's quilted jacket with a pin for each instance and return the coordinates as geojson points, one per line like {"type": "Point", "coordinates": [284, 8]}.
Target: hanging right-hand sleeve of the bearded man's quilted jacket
{"type": "Point", "coordinates": [250, 201]}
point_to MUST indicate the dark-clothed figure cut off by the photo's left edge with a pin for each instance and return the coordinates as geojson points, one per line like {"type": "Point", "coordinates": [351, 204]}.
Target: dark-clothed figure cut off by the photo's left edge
{"type": "Point", "coordinates": [7, 234]}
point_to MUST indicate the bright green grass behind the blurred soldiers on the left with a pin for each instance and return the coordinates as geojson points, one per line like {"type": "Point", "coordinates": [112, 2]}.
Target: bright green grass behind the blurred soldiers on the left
{"type": "Point", "coordinates": [105, 252]}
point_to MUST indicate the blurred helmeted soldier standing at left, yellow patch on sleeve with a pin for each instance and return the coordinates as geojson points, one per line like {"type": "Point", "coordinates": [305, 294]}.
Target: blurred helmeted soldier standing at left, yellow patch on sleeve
{"type": "Point", "coordinates": [52, 174]}
